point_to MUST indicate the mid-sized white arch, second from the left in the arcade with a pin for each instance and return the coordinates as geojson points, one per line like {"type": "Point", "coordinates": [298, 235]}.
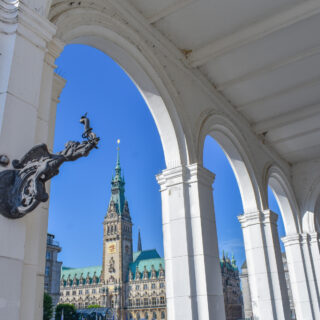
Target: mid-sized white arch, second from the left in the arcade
{"type": "Point", "coordinates": [230, 140]}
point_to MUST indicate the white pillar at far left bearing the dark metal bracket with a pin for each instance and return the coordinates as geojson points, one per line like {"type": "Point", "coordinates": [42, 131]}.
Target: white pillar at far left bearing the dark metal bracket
{"type": "Point", "coordinates": [23, 40]}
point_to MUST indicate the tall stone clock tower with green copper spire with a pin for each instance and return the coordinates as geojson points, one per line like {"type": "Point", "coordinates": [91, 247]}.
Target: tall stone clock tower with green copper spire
{"type": "Point", "coordinates": [117, 243]}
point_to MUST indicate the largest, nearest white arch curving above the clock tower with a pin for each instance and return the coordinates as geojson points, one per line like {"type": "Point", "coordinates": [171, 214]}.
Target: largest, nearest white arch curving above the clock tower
{"type": "Point", "coordinates": [101, 31]}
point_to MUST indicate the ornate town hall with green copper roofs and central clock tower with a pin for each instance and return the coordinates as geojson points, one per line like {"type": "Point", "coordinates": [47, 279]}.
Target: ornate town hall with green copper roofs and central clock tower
{"type": "Point", "coordinates": [133, 283]}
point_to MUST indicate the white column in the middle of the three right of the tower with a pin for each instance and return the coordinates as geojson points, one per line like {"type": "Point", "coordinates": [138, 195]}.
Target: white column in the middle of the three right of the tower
{"type": "Point", "coordinates": [265, 268]}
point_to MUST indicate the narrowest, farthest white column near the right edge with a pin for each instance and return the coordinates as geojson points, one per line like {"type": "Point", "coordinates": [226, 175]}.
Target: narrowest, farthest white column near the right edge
{"type": "Point", "coordinates": [298, 279]}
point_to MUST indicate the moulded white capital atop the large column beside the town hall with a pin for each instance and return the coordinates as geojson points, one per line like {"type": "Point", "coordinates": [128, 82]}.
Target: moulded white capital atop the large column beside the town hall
{"type": "Point", "coordinates": [185, 174]}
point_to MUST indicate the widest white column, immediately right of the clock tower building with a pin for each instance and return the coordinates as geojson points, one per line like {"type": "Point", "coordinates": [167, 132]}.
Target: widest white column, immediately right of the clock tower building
{"type": "Point", "coordinates": [193, 274]}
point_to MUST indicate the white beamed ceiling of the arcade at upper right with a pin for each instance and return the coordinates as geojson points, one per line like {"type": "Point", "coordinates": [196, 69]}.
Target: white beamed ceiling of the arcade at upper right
{"type": "Point", "coordinates": [262, 55]}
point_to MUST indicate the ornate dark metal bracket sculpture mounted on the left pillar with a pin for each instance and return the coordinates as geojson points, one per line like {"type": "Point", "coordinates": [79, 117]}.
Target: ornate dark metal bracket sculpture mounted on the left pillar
{"type": "Point", "coordinates": [23, 188]}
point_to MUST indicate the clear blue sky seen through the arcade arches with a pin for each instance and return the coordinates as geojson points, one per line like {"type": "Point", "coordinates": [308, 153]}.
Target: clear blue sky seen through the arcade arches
{"type": "Point", "coordinates": [80, 193]}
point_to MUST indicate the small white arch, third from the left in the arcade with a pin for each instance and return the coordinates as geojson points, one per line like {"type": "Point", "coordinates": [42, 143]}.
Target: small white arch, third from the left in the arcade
{"type": "Point", "coordinates": [285, 197]}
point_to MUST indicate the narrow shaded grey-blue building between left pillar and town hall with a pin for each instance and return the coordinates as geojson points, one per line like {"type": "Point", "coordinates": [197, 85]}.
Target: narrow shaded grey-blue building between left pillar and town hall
{"type": "Point", "coordinates": [52, 269]}
